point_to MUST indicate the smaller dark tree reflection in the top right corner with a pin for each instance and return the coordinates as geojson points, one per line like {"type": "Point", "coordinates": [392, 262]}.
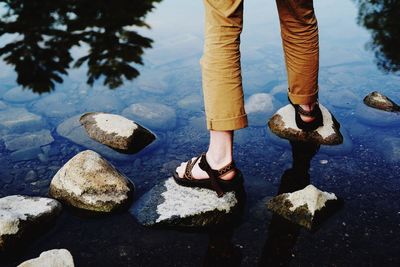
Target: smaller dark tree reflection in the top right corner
{"type": "Point", "coordinates": [382, 19]}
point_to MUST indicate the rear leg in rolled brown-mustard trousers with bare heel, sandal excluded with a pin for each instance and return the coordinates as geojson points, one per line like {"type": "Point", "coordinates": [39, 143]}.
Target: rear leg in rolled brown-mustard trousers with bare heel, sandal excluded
{"type": "Point", "coordinates": [299, 32]}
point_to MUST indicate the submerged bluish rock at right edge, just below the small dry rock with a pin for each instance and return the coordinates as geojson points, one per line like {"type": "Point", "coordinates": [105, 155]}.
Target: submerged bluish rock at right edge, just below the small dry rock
{"type": "Point", "coordinates": [376, 117]}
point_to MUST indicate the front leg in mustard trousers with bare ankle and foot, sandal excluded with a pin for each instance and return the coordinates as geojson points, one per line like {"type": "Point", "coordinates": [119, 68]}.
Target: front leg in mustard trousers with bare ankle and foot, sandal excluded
{"type": "Point", "coordinates": [222, 82]}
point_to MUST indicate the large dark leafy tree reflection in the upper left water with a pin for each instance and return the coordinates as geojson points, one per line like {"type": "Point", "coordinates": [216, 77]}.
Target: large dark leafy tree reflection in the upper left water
{"type": "Point", "coordinates": [47, 30]}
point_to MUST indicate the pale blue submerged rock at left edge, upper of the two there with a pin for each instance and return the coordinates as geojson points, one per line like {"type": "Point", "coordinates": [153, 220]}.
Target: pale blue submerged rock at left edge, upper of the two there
{"type": "Point", "coordinates": [17, 120]}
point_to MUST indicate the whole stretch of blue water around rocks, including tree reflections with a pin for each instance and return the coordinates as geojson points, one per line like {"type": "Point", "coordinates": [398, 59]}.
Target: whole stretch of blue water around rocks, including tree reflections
{"type": "Point", "coordinates": [356, 58]}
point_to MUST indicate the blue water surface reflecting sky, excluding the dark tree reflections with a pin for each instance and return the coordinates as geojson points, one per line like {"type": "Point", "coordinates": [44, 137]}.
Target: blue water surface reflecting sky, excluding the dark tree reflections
{"type": "Point", "coordinates": [364, 171]}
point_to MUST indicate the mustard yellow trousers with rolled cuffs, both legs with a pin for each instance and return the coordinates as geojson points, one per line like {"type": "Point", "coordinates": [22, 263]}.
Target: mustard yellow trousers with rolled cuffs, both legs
{"type": "Point", "coordinates": [220, 63]}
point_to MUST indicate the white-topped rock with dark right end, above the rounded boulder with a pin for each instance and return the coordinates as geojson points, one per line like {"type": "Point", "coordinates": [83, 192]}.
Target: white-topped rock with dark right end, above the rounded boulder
{"type": "Point", "coordinates": [116, 131]}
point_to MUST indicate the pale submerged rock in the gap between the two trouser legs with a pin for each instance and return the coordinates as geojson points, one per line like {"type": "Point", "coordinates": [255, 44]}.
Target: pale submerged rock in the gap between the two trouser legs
{"type": "Point", "coordinates": [259, 108]}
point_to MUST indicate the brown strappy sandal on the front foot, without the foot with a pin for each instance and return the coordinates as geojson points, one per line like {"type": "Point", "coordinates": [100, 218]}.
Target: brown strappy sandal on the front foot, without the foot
{"type": "Point", "coordinates": [215, 183]}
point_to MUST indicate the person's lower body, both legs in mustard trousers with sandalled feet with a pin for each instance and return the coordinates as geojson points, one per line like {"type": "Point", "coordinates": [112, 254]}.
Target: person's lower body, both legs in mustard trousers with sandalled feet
{"type": "Point", "coordinates": [222, 84]}
